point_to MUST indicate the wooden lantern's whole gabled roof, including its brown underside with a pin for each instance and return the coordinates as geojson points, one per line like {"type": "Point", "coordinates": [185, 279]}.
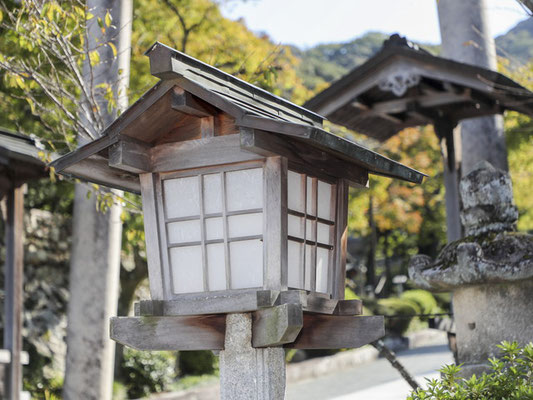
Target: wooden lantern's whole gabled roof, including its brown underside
{"type": "Point", "coordinates": [193, 96]}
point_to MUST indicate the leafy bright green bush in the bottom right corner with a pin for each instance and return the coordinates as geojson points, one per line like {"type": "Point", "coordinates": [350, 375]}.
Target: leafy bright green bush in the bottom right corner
{"type": "Point", "coordinates": [511, 378]}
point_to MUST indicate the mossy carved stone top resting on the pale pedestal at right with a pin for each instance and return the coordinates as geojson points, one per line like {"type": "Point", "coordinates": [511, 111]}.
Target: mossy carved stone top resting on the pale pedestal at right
{"type": "Point", "coordinates": [492, 251]}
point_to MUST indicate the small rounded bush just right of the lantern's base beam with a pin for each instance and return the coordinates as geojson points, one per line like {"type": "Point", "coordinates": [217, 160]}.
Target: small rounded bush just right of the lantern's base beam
{"type": "Point", "coordinates": [402, 309]}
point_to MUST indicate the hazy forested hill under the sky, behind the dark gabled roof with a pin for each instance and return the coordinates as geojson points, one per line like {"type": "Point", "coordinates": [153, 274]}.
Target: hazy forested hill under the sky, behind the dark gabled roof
{"type": "Point", "coordinates": [325, 63]}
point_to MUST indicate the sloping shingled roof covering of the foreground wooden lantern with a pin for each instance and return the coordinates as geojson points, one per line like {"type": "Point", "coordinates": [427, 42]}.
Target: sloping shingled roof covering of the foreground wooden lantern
{"type": "Point", "coordinates": [215, 91]}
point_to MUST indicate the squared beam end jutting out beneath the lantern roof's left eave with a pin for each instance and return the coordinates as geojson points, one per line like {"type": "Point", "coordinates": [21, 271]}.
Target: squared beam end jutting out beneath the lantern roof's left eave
{"type": "Point", "coordinates": [130, 155]}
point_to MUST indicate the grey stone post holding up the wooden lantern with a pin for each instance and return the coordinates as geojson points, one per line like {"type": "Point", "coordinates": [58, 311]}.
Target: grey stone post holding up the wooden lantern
{"type": "Point", "coordinates": [247, 373]}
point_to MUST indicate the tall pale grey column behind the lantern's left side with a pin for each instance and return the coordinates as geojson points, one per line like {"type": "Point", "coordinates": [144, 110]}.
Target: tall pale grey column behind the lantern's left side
{"type": "Point", "coordinates": [96, 245]}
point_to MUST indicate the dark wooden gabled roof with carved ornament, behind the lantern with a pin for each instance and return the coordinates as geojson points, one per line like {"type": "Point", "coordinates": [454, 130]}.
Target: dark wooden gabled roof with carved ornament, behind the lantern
{"type": "Point", "coordinates": [404, 86]}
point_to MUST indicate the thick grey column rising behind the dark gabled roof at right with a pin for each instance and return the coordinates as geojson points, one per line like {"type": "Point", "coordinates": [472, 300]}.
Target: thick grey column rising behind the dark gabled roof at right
{"type": "Point", "coordinates": [466, 38]}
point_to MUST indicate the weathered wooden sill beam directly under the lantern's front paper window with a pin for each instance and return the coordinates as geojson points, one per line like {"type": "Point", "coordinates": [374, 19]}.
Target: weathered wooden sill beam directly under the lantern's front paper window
{"type": "Point", "coordinates": [210, 303]}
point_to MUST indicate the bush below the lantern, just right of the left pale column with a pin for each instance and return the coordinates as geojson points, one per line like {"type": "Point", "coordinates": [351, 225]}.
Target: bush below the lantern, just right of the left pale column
{"type": "Point", "coordinates": [147, 372]}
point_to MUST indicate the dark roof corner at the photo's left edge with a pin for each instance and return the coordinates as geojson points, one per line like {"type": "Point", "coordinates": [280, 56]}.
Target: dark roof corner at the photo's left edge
{"type": "Point", "coordinates": [19, 160]}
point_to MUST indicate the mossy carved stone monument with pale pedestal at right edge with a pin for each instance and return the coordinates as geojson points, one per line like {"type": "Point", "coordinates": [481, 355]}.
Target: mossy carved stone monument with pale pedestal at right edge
{"type": "Point", "coordinates": [490, 271]}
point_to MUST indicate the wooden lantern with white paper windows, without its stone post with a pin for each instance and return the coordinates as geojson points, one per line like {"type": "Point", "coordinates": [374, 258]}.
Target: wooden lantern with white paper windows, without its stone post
{"type": "Point", "coordinates": [245, 202]}
